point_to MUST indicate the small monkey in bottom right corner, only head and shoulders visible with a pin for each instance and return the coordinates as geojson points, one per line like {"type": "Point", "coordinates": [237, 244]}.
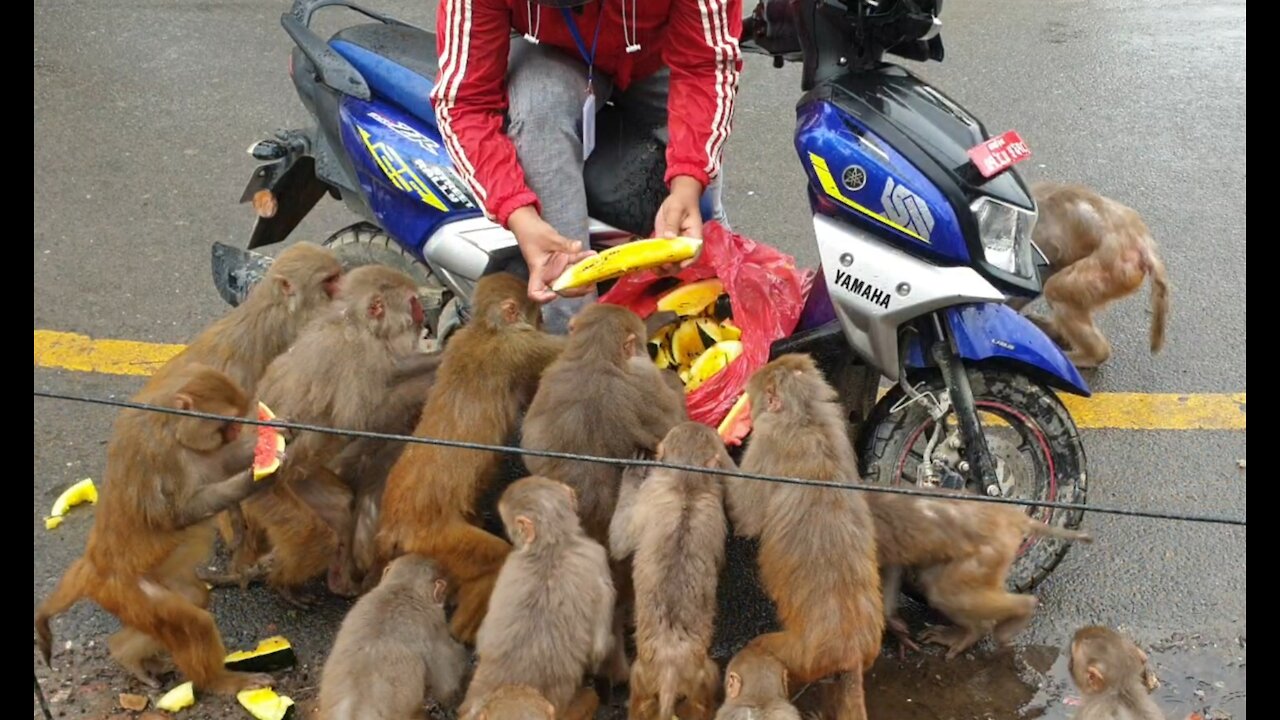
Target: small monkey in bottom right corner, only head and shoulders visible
{"type": "Point", "coordinates": [1113, 677]}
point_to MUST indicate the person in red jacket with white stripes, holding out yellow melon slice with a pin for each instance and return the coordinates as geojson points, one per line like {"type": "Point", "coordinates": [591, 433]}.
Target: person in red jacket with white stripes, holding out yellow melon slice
{"type": "Point", "coordinates": [519, 86]}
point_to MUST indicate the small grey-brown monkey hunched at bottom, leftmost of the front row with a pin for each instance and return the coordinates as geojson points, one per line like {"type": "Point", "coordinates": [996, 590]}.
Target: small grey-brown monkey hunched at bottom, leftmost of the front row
{"type": "Point", "coordinates": [395, 649]}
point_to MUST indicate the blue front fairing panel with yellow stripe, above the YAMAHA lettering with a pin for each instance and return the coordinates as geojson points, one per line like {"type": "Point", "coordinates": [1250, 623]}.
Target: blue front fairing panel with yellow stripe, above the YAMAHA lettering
{"type": "Point", "coordinates": [857, 177]}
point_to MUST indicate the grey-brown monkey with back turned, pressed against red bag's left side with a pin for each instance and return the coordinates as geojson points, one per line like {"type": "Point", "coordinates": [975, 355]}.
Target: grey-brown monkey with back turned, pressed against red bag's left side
{"type": "Point", "coordinates": [604, 397]}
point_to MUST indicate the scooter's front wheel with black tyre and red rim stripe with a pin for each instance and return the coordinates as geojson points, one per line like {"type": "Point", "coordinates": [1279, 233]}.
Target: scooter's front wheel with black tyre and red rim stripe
{"type": "Point", "coordinates": [1027, 429]}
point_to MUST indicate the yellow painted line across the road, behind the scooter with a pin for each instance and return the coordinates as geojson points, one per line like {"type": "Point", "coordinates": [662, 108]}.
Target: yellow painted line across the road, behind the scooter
{"type": "Point", "coordinates": [1105, 411]}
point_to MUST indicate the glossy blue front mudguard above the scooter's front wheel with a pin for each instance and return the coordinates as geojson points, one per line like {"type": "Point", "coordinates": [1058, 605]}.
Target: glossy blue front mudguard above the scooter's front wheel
{"type": "Point", "coordinates": [994, 331]}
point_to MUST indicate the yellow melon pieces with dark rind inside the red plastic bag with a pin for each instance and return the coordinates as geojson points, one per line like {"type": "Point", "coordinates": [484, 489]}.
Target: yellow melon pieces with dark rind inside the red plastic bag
{"type": "Point", "coordinates": [703, 339]}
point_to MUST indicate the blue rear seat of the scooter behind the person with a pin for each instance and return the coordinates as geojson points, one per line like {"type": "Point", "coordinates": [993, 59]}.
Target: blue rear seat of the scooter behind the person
{"type": "Point", "coordinates": [399, 63]}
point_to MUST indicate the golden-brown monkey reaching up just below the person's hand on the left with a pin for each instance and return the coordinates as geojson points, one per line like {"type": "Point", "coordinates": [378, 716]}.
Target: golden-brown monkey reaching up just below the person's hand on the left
{"type": "Point", "coordinates": [487, 377]}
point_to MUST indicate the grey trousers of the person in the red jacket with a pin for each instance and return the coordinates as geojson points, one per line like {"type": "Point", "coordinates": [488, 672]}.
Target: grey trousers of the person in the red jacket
{"type": "Point", "coordinates": [546, 92]}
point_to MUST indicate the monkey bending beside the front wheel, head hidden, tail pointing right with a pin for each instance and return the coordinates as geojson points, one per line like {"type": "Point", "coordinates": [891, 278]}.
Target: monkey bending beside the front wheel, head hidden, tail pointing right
{"type": "Point", "coordinates": [963, 553]}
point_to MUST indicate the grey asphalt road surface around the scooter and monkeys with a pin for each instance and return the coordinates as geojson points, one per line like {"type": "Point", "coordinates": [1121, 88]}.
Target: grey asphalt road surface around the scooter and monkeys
{"type": "Point", "coordinates": [144, 111]}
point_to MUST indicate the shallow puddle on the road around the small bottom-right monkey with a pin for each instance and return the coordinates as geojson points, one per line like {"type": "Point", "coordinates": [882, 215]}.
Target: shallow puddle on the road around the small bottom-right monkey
{"type": "Point", "coordinates": [1034, 683]}
